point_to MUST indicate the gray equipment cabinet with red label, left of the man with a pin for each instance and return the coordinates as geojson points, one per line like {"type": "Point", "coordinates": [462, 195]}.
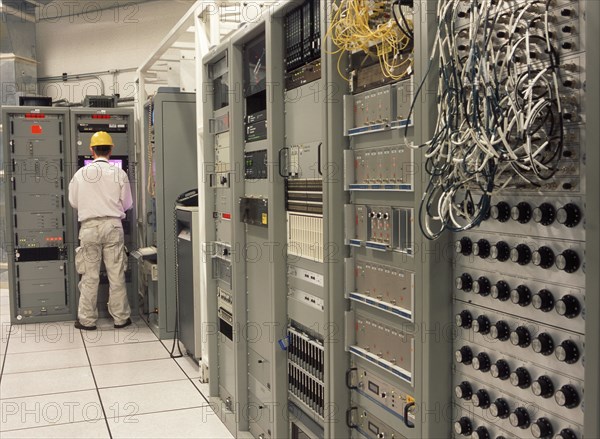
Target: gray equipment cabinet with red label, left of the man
{"type": "Point", "coordinates": [40, 243]}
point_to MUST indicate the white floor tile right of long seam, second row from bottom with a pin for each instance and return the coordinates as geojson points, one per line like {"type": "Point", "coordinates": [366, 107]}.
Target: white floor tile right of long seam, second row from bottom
{"type": "Point", "coordinates": [141, 399]}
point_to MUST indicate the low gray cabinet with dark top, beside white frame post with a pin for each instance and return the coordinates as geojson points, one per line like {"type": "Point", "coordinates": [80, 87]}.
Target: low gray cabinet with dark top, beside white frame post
{"type": "Point", "coordinates": [188, 280]}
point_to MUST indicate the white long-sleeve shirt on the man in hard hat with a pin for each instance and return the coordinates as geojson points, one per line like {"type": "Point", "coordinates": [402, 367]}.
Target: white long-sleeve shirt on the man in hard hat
{"type": "Point", "coordinates": [100, 190]}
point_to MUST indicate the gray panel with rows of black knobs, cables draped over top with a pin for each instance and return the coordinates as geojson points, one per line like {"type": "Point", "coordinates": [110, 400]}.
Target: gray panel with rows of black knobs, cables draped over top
{"type": "Point", "coordinates": [517, 213]}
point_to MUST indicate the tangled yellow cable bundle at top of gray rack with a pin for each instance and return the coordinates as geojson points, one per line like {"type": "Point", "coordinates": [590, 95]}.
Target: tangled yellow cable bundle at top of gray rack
{"type": "Point", "coordinates": [372, 27]}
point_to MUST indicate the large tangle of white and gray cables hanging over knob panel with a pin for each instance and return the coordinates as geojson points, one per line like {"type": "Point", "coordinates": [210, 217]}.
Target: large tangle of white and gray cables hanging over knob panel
{"type": "Point", "coordinates": [500, 121]}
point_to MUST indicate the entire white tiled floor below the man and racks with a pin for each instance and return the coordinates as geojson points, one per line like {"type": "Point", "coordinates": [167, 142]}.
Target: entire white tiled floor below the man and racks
{"type": "Point", "coordinates": [59, 382]}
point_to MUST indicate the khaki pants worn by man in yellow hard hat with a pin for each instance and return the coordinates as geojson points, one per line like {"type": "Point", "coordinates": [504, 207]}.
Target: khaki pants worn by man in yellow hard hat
{"type": "Point", "coordinates": [102, 239]}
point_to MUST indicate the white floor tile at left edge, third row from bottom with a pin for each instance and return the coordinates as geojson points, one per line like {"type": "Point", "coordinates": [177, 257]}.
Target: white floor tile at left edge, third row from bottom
{"type": "Point", "coordinates": [44, 382]}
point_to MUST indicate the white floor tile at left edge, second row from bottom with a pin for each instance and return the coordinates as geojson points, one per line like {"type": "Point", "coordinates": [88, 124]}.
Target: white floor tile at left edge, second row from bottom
{"type": "Point", "coordinates": [40, 411]}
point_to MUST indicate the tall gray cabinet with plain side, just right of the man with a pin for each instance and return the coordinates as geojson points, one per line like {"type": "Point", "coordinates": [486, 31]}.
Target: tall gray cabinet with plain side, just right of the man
{"type": "Point", "coordinates": [170, 124]}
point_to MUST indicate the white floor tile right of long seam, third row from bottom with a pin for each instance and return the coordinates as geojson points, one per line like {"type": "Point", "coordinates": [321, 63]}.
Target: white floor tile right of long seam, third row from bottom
{"type": "Point", "coordinates": [121, 374]}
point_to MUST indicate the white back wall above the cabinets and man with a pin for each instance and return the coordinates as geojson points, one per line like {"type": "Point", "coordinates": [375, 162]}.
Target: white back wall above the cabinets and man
{"type": "Point", "coordinates": [94, 39]}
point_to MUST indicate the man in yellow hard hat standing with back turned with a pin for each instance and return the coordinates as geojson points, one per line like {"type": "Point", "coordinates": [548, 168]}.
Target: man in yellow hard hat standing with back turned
{"type": "Point", "coordinates": [101, 194]}
